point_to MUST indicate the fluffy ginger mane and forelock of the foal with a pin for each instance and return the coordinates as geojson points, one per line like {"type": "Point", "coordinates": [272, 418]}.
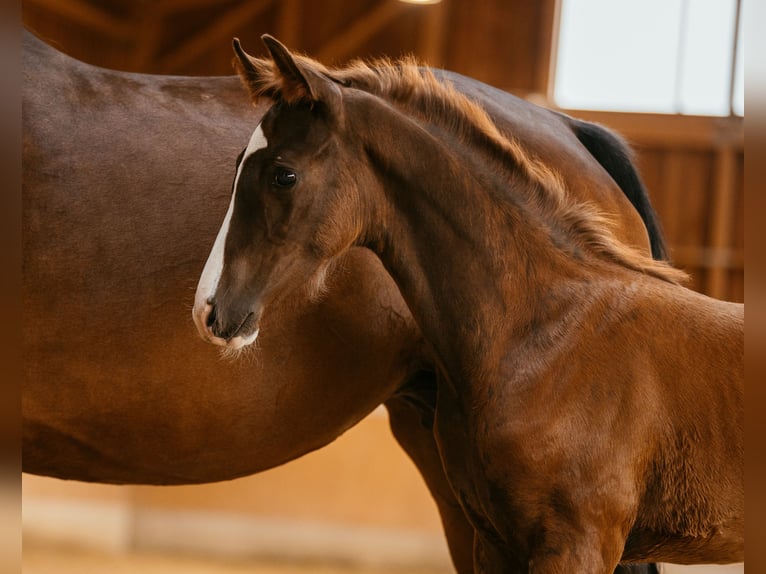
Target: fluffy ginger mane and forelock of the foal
{"type": "Point", "coordinates": [415, 90]}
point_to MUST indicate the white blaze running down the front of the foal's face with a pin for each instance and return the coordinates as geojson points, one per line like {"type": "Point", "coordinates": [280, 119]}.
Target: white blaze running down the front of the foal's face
{"type": "Point", "coordinates": [211, 274]}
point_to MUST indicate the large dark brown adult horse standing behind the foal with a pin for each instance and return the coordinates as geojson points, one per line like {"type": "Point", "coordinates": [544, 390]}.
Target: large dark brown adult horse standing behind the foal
{"type": "Point", "coordinates": [118, 389]}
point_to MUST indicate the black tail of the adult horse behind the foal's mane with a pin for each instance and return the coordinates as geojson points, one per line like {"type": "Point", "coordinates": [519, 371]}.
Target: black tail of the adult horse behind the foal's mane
{"type": "Point", "coordinates": [617, 159]}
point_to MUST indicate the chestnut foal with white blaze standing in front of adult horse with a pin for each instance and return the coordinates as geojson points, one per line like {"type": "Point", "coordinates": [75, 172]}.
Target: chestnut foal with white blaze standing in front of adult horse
{"type": "Point", "coordinates": [589, 408]}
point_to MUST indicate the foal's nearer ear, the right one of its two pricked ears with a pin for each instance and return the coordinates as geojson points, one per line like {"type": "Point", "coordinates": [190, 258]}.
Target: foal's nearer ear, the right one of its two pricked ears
{"type": "Point", "coordinates": [302, 79]}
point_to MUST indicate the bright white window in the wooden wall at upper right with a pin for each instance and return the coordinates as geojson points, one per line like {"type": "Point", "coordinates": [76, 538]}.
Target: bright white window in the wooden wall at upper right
{"type": "Point", "coordinates": [662, 56]}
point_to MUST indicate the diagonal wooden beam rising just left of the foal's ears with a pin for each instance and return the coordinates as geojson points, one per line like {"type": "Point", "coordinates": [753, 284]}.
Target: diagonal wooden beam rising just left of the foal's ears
{"type": "Point", "coordinates": [220, 30]}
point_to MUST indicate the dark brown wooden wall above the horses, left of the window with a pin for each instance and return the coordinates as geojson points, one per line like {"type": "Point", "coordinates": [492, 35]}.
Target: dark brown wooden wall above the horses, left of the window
{"type": "Point", "coordinates": [503, 43]}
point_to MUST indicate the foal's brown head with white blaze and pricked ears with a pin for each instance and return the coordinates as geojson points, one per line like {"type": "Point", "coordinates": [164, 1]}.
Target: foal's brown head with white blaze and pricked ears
{"type": "Point", "coordinates": [294, 205]}
